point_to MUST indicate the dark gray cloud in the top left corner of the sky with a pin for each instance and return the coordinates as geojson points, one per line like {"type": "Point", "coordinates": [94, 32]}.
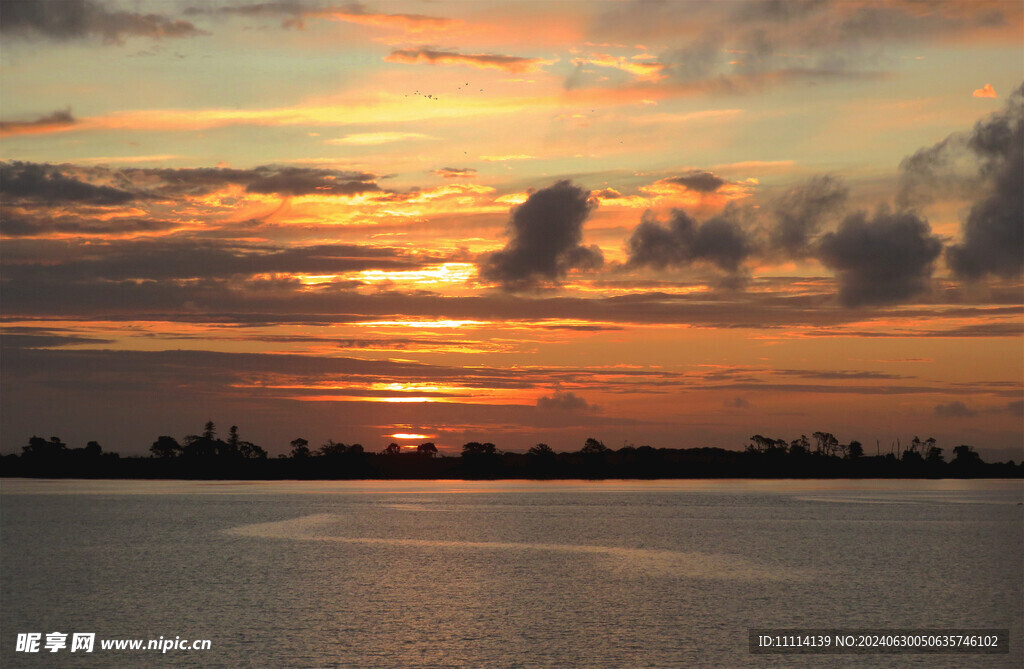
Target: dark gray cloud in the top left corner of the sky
{"type": "Point", "coordinates": [68, 20]}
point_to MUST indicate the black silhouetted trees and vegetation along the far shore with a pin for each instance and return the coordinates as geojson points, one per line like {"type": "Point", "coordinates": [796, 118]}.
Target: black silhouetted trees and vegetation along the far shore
{"type": "Point", "coordinates": [207, 457]}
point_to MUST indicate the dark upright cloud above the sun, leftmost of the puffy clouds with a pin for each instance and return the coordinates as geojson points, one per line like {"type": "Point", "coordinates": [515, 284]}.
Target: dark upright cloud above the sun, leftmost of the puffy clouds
{"type": "Point", "coordinates": [546, 233]}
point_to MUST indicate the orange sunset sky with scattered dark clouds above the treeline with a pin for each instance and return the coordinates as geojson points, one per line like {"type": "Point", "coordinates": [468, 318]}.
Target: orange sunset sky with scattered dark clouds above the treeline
{"type": "Point", "coordinates": [672, 224]}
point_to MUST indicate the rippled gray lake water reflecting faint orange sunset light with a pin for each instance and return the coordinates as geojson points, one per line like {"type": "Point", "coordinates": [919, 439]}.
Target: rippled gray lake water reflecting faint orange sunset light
{"type": "Point", "coordinates": [504, 574]}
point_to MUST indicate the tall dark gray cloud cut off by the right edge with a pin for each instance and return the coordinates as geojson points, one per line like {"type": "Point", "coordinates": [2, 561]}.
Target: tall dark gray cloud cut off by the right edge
{"type": "Point", "coordinates": [994, 232]}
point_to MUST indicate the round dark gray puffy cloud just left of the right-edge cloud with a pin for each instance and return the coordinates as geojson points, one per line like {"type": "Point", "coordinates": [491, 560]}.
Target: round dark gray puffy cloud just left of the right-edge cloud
{"type": "Point", "coordinates": [882, 261]}
